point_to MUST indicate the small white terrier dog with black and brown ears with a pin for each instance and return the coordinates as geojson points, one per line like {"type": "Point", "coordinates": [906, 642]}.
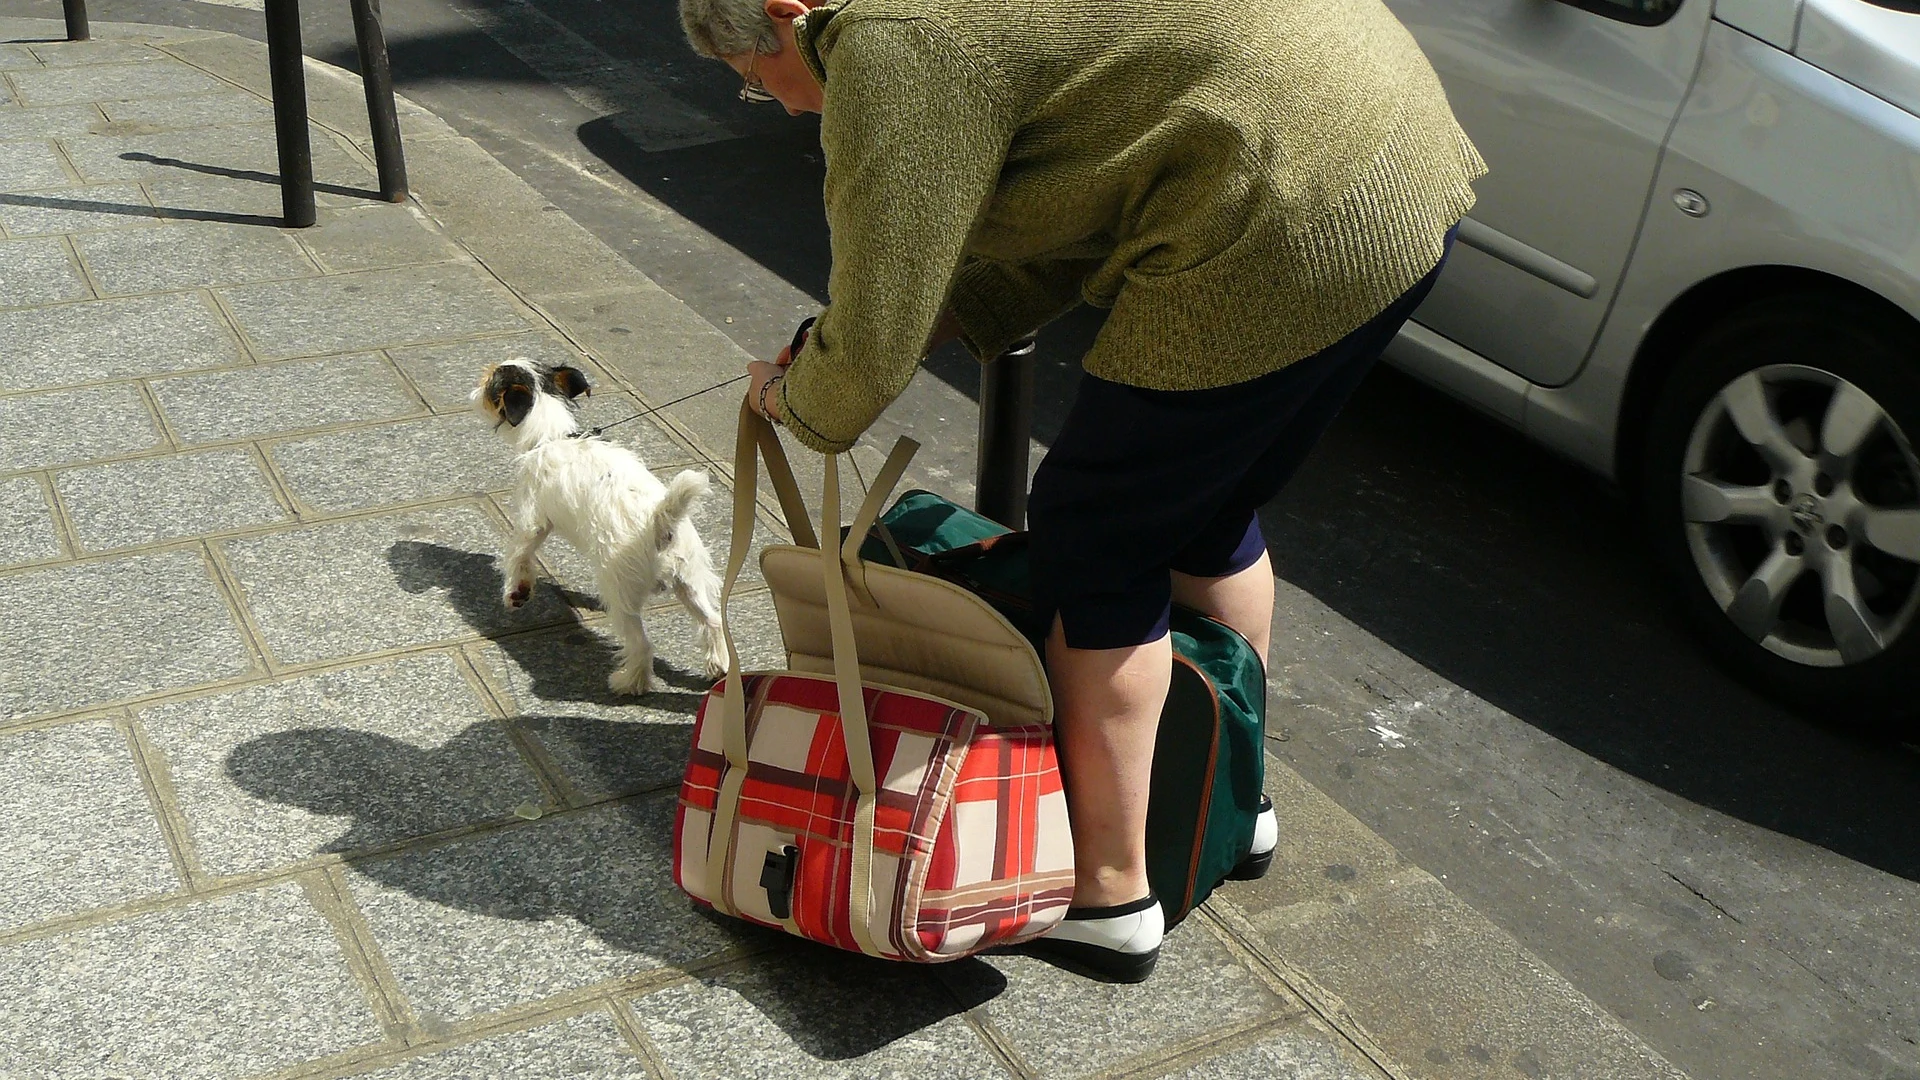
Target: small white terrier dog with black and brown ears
{"type": "Point", "coordinates": [604, 503]}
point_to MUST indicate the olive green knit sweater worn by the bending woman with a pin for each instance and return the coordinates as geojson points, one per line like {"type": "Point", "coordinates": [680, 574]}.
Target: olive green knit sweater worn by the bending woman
{"type": "Point", "coordinates": [1239, 182]}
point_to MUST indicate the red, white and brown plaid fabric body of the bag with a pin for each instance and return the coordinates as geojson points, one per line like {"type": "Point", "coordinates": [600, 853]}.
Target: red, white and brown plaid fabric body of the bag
{"type": "Point", "coordinates": [971, 827]}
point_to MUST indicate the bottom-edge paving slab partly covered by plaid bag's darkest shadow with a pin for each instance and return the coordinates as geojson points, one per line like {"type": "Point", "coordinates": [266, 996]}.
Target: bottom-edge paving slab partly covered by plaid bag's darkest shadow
{"type": "Point", "coordinates": [807, 1012]}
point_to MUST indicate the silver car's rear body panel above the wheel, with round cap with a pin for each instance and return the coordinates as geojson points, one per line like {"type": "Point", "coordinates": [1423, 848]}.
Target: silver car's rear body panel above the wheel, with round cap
{"type": "Point", "coordinates": [1798, 168]}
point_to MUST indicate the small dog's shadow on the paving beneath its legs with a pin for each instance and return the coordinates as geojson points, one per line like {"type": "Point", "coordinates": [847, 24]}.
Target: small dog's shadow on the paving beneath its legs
{"type": "Point", "coordinates": [571, 662]}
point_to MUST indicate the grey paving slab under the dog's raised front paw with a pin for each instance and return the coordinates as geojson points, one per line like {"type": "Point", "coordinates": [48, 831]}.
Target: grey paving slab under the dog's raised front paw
{"type": "Point", "coordinates": [381, 583]}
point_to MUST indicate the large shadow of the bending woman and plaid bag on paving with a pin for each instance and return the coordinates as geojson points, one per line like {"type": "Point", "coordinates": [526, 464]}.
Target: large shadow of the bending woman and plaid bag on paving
{"type": "Point", "coordinates": [604, 870]}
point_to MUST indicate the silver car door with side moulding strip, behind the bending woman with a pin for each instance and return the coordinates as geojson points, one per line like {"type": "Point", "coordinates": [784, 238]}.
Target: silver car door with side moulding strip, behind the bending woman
{"type": "Point", "coordinates": [1570, 105]}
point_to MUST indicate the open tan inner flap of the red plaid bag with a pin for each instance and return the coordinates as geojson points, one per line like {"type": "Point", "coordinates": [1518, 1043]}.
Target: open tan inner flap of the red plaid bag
{"type": "Point", "coordinates": [921, 633]}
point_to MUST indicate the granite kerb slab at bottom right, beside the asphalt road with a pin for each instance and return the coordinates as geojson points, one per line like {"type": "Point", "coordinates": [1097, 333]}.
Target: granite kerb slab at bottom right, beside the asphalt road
{"type": "Point", "coordinates": [1441, 987]}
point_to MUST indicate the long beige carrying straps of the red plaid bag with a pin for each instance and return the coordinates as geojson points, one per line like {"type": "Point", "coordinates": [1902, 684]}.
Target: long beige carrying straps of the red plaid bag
{"type": "Point", "coordinates": [757, 435]}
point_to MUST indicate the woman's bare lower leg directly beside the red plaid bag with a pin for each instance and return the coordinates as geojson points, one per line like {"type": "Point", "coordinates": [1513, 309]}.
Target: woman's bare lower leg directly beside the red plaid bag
{"type": "Point", "coordinates": [1107, 710]}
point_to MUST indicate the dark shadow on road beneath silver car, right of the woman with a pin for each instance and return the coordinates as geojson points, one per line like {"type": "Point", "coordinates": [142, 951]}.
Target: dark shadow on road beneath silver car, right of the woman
{"type": "Point", "coordinates": [1522, 579]}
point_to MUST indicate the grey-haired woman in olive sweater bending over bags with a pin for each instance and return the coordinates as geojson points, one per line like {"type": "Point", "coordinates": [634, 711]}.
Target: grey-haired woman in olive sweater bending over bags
{"type": "Point", "coordinates": [1257, 193]}
